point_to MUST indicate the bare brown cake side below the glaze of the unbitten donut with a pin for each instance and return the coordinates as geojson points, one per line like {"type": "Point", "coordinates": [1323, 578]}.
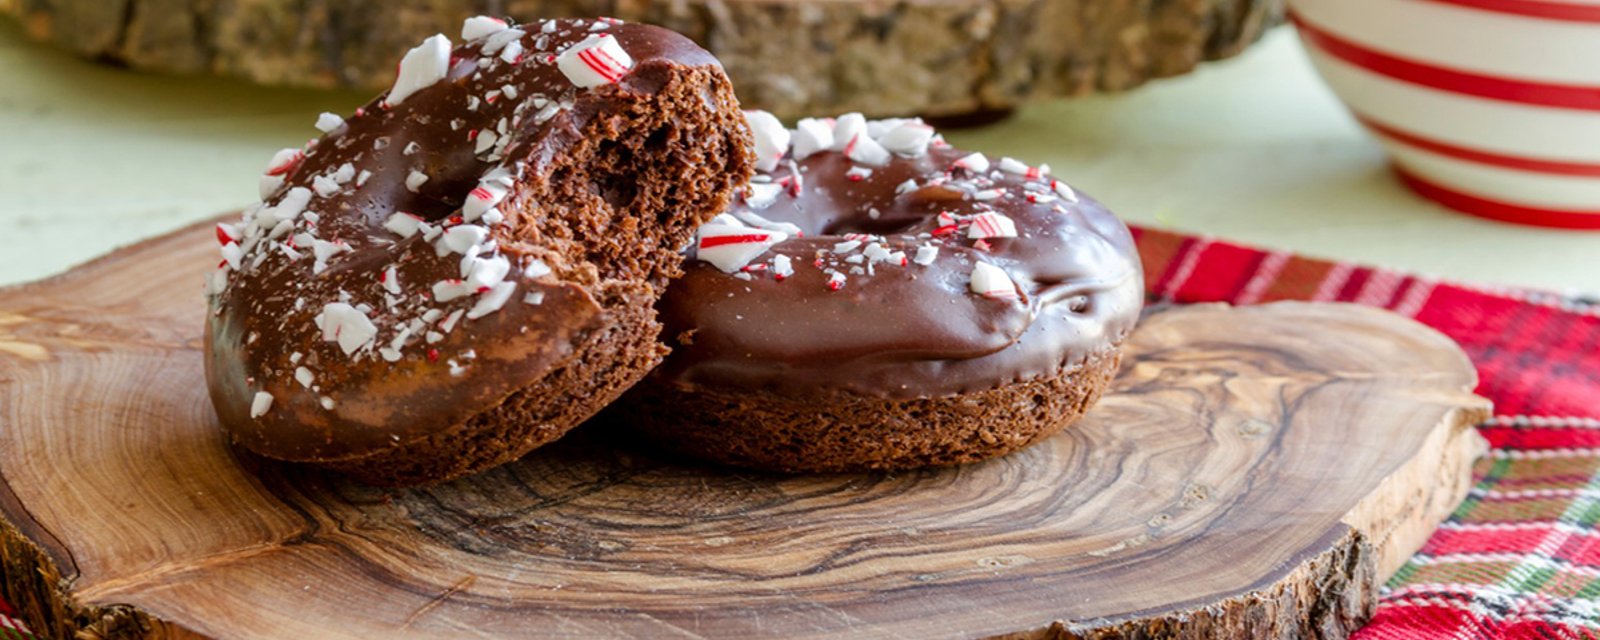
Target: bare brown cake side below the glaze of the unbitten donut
{"type": "Point", "coordinates": [849, 433]}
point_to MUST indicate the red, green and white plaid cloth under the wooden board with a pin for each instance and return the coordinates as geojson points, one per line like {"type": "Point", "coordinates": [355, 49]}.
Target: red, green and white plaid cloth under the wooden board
{"type": "Point", "coordinates": [1521, 558]}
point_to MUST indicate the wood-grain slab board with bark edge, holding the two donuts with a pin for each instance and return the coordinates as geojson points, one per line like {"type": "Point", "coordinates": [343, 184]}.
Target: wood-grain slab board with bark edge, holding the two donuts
{"type": "Point", "coordinates": [1258, 471]}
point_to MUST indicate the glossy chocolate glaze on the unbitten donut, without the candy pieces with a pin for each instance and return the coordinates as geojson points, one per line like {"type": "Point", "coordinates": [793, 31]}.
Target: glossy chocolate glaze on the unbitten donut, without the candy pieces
{"type": "Point", "coordinates": [908, 332]}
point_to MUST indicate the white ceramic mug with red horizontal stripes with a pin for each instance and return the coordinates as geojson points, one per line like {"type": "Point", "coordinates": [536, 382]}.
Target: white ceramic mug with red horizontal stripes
{"type": "Point", "coordinates": [1486, 106]}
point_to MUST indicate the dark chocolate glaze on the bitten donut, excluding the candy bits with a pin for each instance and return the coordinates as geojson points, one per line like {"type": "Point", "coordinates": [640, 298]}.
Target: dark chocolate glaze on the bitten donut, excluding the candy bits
{"type": "Point", "coordinates": [361, 404]}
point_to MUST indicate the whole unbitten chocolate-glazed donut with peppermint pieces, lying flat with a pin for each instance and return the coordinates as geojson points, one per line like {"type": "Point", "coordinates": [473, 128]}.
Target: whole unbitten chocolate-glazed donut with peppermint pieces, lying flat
{"type": "Point", "coordinates": [879, 300]}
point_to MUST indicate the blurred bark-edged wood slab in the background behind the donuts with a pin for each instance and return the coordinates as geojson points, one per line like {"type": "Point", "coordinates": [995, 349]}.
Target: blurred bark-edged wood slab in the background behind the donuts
{"type": "Point", "coordinates": [790, 57]}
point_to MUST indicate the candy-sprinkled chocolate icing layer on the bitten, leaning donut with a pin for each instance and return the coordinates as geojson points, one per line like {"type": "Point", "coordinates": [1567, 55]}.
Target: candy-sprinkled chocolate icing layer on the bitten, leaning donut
{"type": "Point", "coordinates": [290, 364]}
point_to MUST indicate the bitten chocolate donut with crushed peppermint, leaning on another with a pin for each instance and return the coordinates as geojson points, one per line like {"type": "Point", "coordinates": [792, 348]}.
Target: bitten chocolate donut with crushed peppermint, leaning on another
{"type": "Point", "coordinates": [466, 268]}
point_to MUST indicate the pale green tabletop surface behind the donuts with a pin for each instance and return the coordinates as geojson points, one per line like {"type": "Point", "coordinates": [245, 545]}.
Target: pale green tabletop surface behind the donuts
{"type": "Point", "coordinates": [1252, 150]}
